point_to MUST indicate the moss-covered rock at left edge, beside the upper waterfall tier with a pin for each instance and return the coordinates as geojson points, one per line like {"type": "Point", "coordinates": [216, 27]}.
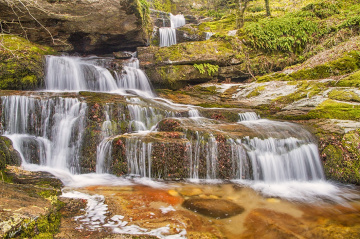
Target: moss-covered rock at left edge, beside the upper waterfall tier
{"type": "Point", "coordinates": [21, 63]}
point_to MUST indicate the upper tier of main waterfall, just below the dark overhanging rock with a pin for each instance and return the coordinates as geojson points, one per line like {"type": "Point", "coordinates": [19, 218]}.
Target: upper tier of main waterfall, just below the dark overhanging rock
{"type": "Point", "coordinates": [64, 73]}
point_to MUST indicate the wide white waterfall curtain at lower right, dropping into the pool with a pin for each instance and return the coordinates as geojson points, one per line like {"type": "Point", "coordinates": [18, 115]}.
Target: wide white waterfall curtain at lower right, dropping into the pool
{"type": "Point", "coordinates": [279, 160]}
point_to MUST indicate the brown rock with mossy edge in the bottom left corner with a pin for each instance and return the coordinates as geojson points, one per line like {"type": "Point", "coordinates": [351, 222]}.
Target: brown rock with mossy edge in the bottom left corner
{"type": "Point", "coordinates": [29, 204]}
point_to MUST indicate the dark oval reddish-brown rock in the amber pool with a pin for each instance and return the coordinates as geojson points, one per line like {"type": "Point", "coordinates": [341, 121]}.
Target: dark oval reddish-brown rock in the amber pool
{"type": "Point", "coordinates": [217, 208]}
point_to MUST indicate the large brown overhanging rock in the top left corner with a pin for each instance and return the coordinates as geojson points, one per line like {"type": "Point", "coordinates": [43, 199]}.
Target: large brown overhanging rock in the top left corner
{"type": "Point", "coordinates": [83, 26]}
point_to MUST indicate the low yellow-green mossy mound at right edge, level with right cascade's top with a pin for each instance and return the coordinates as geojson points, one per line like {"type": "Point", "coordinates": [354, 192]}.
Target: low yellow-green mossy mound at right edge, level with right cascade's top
{"type": "Point", "coordinates": [331, 109]}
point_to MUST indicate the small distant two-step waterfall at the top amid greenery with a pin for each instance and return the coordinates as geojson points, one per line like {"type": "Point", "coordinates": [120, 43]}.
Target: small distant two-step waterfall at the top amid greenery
{"type": "Point", "coordinates": [168, 34]}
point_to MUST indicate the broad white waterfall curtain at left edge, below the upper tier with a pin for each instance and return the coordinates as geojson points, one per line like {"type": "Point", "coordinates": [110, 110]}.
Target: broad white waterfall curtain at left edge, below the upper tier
{"type": "Point", "coordinates": [52, 127]}
